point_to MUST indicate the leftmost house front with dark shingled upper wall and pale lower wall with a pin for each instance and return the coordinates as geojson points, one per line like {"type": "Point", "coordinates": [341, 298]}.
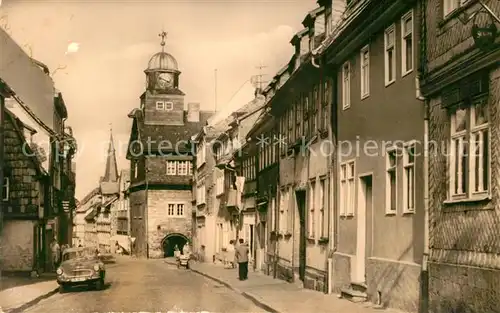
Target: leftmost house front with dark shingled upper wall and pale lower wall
{"type": "Point", "coordinates": [24, 189]}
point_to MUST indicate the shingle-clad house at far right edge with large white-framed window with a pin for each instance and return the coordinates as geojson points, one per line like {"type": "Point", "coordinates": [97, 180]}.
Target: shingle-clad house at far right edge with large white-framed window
{"type": "Point", "coordinates": [461, 86]}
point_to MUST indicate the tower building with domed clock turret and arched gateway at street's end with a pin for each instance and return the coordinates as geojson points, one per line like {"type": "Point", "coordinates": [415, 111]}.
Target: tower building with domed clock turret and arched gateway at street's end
{"type": "Point", "coordinates": [161, 161]}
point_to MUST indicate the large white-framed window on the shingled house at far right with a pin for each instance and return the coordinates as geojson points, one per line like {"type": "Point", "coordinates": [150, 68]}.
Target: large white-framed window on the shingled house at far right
{"type": "Point", "coordinates": [469, 157]}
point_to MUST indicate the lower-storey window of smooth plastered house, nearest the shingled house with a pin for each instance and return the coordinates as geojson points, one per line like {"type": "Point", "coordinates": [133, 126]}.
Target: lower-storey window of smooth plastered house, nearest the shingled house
{"type": "Point", "coordinates": [409, 178]}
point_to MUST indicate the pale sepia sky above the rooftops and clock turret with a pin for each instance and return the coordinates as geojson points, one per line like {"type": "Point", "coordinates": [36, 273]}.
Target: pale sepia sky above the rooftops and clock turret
{"type": "Point", "coordinates": [97, 51]}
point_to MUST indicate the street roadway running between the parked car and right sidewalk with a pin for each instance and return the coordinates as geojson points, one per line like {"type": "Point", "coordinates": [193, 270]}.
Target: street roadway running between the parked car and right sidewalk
{"type": "Point", "coordinates": [149, 286]}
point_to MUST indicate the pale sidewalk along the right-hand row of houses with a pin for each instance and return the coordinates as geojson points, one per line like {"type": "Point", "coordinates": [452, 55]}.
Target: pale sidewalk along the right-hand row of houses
{"type": "Point", "coordinates": [276, 295]}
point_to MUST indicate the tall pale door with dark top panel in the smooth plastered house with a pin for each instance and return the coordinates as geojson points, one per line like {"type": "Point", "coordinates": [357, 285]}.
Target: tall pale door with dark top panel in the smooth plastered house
{"type": "Point", "coordinates": [364, 209]}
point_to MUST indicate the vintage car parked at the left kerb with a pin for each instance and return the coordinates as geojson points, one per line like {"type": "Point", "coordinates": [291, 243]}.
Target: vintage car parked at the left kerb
{"type": "Point", "coordinates": [80, 266]}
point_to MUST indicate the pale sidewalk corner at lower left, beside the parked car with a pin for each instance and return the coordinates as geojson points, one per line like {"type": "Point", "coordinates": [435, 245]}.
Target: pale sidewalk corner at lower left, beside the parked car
{"type": "Point", "coordinates": [16, 299]}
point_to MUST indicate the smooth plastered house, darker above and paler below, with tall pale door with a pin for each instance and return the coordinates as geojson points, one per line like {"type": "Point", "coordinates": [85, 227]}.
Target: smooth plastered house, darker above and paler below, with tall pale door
{"type": "Point", "coordinates": [374, 60]}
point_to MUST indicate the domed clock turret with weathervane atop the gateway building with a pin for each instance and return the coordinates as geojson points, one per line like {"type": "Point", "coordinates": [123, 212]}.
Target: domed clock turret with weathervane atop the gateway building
{"type": "Point", "coordinates": [163, 100]}
